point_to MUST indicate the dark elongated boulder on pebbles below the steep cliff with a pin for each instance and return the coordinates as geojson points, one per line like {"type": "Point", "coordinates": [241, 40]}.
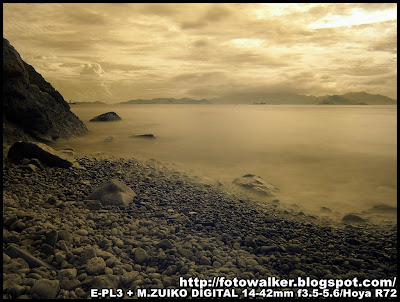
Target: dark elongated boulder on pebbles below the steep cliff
{"type": "Point", "coordinates": [42, 152]}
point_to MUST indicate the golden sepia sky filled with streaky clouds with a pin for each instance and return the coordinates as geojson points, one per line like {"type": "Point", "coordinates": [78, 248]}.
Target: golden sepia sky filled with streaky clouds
{"type": "Point", "coordinates": [115, 52]}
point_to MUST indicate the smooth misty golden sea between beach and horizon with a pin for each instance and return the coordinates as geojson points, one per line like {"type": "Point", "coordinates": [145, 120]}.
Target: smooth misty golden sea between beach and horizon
{"type": "Point", "coordinates": [341, 157]}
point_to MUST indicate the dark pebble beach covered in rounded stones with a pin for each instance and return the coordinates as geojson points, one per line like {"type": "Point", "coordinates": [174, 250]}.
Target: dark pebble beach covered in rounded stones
{"type": "Point", "coordinates": [175, 227]}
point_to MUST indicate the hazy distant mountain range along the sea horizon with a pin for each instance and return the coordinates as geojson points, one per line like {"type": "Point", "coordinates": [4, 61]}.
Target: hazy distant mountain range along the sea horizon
{"type": "Point", "coordinates": [352, 98]}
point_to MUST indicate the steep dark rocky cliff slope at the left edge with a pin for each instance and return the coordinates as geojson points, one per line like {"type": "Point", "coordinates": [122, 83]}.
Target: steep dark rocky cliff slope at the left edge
{"type": "Point", "coordinates": [32, 108]}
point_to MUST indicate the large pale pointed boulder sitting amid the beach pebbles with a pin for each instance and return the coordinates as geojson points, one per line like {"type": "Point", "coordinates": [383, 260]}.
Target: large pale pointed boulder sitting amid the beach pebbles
{"type": "Point", "coordinates": [113, 192]}
